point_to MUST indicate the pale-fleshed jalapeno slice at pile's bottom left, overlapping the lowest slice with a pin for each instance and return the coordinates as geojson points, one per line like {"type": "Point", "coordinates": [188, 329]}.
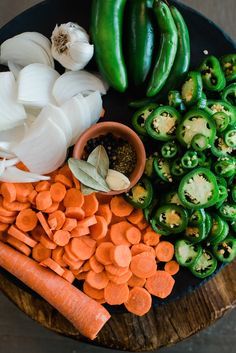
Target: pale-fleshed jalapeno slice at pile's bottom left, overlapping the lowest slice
{"type": "Point", "coordinates": [187, 253]}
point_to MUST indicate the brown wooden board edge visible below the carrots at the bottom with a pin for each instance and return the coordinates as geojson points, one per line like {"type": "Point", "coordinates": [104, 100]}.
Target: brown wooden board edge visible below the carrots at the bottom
{"type": "Point", "coordinates": [163, 326]}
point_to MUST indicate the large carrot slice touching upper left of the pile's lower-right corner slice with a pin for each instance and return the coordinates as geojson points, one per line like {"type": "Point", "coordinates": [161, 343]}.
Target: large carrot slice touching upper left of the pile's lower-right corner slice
{"type": "Point", "coordinates": [143, 266]}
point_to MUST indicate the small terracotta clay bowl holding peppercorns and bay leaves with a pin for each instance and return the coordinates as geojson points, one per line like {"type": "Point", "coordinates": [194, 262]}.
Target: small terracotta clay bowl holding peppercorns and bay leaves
{"type": "Point", "coordinates": [118, 130]}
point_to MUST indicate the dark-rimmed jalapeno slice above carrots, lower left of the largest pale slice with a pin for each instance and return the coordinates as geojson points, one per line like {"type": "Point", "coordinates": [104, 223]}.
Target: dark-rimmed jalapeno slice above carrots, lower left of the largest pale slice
{"type": "Point", "coordinates": [171, 217]}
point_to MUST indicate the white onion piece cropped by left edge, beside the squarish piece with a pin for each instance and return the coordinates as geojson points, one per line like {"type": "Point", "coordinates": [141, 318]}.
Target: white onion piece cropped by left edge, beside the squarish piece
{"type": "Point", "coordinates": [12, 113]}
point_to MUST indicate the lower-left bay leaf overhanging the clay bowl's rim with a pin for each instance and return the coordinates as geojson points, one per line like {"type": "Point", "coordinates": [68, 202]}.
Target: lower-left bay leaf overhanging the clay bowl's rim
{"type": "Point", "coordinates": [87, 174]}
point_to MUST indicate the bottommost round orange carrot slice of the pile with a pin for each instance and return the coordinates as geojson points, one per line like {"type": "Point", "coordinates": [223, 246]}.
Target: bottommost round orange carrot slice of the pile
{"type": "Point", "coordinates": [139, 301]}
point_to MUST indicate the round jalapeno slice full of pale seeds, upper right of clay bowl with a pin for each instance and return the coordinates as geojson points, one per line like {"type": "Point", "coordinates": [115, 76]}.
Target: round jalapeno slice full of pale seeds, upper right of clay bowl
{"type": "Point", "coordinates": [162, 122]}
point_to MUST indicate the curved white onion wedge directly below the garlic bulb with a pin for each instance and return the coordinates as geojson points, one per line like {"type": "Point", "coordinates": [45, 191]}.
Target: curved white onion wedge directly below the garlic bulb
{"type": "Point", "coordinates": [72, 83]}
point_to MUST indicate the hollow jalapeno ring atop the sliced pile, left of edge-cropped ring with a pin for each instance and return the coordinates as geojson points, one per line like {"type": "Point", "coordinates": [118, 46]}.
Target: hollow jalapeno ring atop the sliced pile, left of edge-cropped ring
{"type": "Point", "coordinates": [212, 74]}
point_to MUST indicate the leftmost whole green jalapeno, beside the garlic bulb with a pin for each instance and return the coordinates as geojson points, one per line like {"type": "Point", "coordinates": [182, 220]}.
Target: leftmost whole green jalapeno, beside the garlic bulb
{"type": "Point", "coordinates": [106, 31]}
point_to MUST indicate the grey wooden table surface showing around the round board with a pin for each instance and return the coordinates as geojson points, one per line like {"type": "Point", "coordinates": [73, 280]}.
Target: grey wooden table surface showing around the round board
{"type": "Point", "coordinates": [19, 334]}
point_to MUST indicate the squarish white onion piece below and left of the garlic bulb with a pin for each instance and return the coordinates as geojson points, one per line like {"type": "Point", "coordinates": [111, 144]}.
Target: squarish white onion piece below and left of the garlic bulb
{"type": "Point", "coordinates": [35, 84]}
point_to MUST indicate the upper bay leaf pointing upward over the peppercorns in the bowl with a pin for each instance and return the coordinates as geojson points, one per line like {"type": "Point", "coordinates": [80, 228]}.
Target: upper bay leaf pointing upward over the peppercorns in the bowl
{"type": "Point", "coordinates": [99, 159]}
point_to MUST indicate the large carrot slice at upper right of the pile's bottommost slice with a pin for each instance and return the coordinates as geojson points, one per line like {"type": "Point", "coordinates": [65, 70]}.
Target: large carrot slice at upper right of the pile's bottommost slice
{"type": "Point", "coordinates": [160, 284]}
